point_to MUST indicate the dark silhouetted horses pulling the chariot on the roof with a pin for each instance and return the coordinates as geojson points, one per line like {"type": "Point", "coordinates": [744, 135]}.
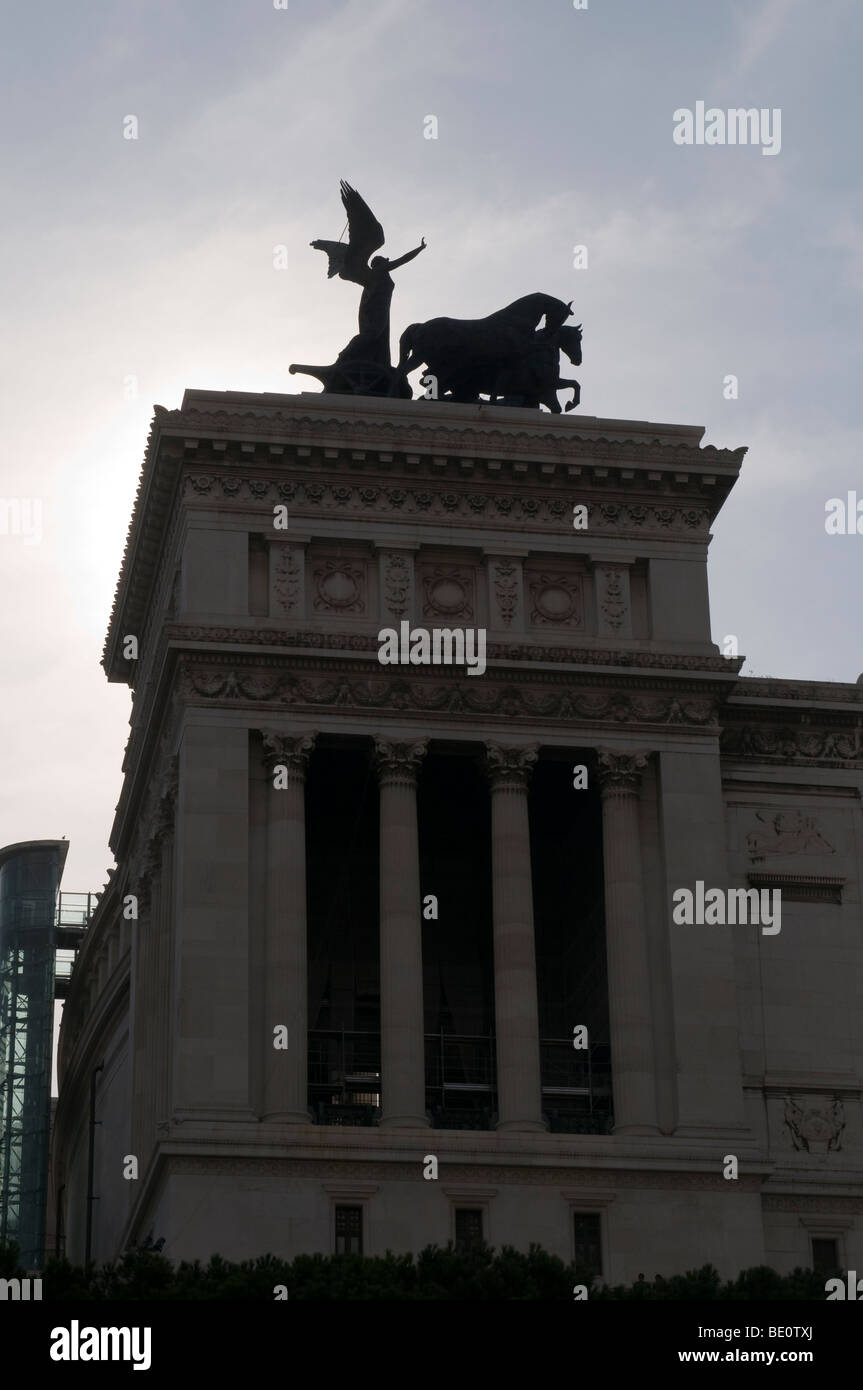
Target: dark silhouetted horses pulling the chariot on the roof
{"type": "Point", "coordinates": [505, 357]}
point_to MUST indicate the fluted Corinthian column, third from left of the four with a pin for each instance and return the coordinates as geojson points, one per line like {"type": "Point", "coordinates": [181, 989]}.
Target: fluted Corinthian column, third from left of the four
{"type": "Point", "coordinates": [516, 1010]}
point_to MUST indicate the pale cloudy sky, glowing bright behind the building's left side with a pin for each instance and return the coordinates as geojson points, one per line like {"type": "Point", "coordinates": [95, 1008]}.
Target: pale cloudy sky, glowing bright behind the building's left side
{"type": "Point", "coordinates": [137, 268]}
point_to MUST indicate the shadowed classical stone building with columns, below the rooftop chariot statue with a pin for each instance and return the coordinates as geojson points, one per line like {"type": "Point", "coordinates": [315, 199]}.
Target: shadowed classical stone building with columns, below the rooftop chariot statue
{"type": "Point", "coordinates": [394, 953]}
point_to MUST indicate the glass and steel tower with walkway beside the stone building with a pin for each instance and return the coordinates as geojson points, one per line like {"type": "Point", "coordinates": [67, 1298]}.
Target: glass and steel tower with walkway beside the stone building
{"type": "Point", "coordinates": [37, 928]}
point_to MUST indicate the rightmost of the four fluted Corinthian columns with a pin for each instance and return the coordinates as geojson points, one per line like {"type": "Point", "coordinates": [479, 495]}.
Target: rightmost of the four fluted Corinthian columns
{"type": "Point", "coordinates": [633, 1072]}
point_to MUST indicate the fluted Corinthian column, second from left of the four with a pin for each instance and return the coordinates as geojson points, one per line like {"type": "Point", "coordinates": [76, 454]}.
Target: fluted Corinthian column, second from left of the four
{"type": "Point", "coordinates": [402, 1017]}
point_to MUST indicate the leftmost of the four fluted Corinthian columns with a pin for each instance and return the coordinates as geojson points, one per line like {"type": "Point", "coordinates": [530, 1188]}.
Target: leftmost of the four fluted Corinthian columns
{"type": "Point", "coordinates": [286, 997]}
